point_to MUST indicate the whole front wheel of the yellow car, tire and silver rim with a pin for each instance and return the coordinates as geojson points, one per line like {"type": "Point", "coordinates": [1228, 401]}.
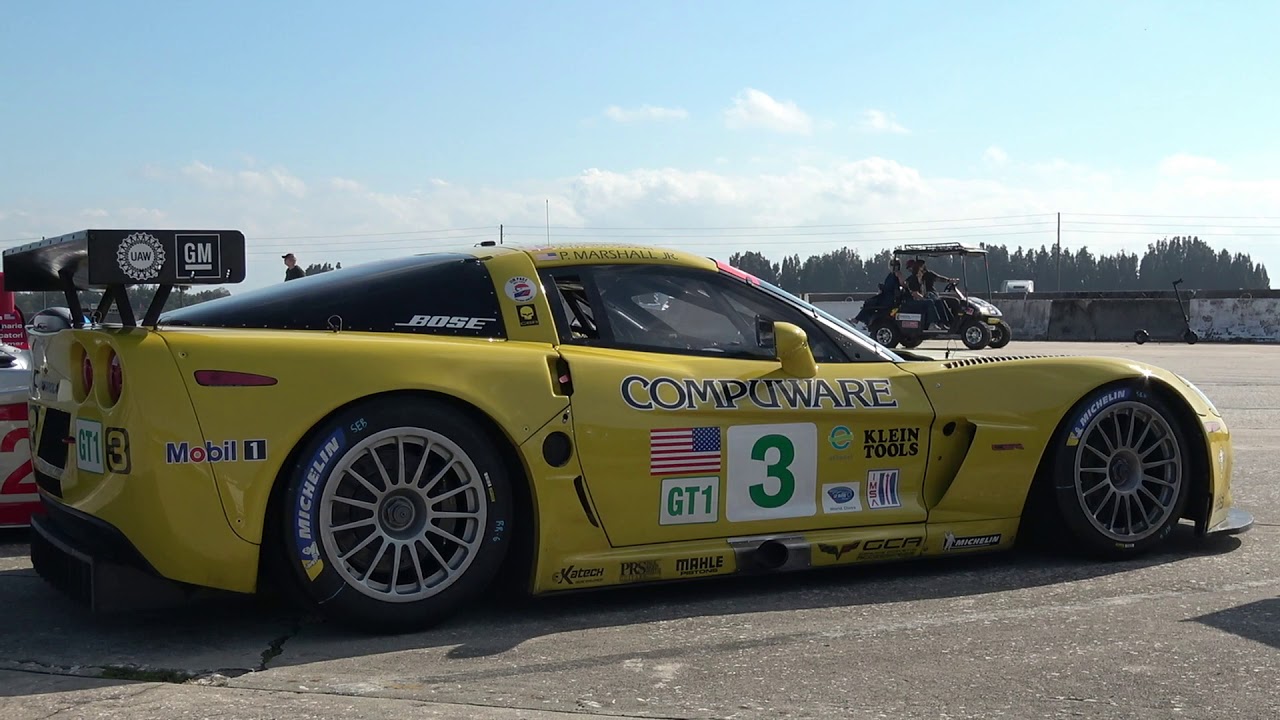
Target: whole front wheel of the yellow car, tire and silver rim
{"type": "Point", "coordinates": [1122, 471]}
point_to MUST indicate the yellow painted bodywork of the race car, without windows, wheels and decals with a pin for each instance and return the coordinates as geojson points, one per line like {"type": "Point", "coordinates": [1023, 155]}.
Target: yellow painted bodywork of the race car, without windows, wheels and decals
{"type": "Point", "coordinates": [984, 431]}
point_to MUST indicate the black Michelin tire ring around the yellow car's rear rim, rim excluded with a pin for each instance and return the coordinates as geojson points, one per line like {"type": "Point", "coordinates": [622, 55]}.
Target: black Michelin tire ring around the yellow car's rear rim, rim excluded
{"type": "Point", "coordinates": [314, 471]}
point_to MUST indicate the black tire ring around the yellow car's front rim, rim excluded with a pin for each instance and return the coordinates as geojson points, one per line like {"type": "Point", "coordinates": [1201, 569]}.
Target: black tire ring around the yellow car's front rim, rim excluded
{"type": "Point", "coordinates": [1064, 470]}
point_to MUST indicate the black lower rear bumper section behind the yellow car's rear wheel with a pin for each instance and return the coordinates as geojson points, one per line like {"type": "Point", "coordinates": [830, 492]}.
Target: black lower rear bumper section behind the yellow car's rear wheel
{"type": "Point", "coordinates": [95, 564]}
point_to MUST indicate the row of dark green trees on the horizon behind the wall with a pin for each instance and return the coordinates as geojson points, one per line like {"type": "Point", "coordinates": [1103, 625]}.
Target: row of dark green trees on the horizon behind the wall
{"type": "Point", "coordinates": [1165, 261]}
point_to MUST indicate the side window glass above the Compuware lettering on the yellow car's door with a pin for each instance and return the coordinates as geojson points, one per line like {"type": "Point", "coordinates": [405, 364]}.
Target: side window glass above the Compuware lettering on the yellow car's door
{"type": "Point", "coordinates": [665, 309]}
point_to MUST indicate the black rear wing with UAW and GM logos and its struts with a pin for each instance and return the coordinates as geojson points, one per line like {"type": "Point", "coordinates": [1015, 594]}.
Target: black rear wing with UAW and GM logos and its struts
{"type": "Point", "coordinates": [113, 261]}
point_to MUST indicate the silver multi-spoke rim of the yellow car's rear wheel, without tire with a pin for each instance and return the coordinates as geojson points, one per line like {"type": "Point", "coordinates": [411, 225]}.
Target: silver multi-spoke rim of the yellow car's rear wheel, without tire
{"type": "Point", "coordinates": [404, 514]}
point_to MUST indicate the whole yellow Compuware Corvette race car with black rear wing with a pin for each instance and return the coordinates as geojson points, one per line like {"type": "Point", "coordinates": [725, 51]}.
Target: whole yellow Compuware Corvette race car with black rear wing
{"type": "Point", "coordinates": [394, 440]}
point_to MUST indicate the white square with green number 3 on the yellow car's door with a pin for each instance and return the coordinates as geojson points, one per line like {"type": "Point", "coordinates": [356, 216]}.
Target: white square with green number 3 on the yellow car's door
{"type": "Point", "coordinates": [772, 472]}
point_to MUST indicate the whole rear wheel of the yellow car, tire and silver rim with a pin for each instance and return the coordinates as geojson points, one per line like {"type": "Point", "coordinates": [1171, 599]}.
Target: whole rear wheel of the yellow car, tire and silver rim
{"type": "Point", "coordinates": [399, 513]}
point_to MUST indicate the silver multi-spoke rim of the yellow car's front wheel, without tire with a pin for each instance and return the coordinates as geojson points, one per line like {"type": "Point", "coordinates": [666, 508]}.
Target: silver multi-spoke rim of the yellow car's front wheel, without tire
{"type": "Point", "coordinates": [1128, 472]}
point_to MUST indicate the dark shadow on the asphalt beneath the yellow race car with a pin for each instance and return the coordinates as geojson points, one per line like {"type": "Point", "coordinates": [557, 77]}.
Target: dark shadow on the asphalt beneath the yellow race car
{"type": "Point", "coordinates": [505, 621]}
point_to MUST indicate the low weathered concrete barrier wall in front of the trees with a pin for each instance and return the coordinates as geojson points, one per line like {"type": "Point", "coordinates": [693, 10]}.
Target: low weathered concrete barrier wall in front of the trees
{"type": "Point", "coordinates": [1116, 320]}
